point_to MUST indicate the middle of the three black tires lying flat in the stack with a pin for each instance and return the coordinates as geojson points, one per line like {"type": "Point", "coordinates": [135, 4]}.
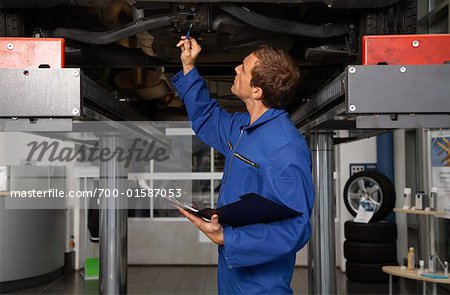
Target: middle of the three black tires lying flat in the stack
{"type": "Point", "coordinates": [370, 252]}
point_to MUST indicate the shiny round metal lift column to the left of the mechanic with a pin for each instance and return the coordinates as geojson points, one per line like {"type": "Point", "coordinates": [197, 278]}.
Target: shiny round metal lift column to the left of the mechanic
{"type": "Point", "coordinates": [113, 221]}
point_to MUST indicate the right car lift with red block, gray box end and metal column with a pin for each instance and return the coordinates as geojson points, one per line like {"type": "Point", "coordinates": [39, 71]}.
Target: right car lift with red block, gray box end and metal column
{"type": "Point", "coordinates": [404, 82]}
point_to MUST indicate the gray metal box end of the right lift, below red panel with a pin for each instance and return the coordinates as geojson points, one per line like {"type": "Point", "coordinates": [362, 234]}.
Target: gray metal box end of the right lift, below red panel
{"type": "Point", "coordinates": [398, 89]}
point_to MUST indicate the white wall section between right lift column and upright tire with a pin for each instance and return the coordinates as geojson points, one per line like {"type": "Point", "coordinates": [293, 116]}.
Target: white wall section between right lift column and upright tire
{"type": "Point", "coordinates": [361, 151]}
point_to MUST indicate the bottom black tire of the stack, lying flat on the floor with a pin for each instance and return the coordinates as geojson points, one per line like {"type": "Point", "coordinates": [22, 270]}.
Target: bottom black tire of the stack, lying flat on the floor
{"type": "Point", "coordinates": [368, 272]}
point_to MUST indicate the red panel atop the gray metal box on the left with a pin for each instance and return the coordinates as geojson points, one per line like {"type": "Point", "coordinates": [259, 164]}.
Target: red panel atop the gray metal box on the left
{"type": "Point", "coordinates": [19, 53]}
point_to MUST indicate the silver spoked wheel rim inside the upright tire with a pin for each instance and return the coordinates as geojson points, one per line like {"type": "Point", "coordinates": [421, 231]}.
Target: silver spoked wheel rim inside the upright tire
{"type": "Point", "coordinates": [364, 188]}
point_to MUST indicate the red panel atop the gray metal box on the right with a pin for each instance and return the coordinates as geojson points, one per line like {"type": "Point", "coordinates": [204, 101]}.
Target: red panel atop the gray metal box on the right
{"type": "Point", "coordinates": [402, 49]}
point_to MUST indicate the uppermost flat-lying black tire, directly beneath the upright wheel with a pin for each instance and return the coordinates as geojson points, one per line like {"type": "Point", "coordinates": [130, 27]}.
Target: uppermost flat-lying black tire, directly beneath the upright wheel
{"type": "Point", "coordinates": [375, 232]}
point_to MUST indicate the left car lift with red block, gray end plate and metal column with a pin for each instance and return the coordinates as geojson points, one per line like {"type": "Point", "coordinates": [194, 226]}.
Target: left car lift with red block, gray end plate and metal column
{"type": "Point", "coordinates": [39, 95]}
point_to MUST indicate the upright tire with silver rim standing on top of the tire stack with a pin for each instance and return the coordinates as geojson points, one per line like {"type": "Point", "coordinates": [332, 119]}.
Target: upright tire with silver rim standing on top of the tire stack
{"type": "Point", "coordinates": [372, 185]}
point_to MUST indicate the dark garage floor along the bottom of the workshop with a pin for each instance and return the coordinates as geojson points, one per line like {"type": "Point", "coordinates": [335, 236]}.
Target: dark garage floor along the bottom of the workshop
{"type": "Point", "coordinates": [202, 280]}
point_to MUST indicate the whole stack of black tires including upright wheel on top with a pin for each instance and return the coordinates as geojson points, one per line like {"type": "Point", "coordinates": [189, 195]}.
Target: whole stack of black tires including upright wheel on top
{"type": "Point", "coordinates": [369, 247]}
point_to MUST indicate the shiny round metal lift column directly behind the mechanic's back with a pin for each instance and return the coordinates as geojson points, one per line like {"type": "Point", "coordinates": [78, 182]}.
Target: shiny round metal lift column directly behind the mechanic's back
{"type": "Point", "coordinates": [321, 248]}
